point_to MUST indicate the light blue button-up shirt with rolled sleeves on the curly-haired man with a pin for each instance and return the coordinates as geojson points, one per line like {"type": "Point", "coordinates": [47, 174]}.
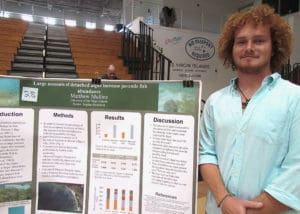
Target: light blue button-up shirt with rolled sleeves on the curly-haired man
{"type": "Point", "coordinates": [256, 150]}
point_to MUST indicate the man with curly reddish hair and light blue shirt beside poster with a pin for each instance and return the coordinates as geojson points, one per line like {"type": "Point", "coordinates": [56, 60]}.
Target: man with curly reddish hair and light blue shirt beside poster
{"type": "Point", "coordinates": [250, 131]}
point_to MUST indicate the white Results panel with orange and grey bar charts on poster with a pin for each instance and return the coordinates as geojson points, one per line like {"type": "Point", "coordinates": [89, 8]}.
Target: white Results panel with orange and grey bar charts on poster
{"type": "Point", "coordinates": [115, 162]}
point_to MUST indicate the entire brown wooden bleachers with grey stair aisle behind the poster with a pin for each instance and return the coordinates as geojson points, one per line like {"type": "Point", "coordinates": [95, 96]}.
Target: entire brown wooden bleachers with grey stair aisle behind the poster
{"type": "Point", "coordinates": [91, 52]}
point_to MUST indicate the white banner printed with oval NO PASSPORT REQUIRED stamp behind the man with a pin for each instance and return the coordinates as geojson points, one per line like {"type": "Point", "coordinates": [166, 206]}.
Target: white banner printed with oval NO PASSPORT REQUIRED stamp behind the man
{"type": "Point", "coordinates": [194, 56]}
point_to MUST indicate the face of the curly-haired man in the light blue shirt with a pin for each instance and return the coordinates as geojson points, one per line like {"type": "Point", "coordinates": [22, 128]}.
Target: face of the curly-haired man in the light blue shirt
{"type": "Point", "coordinates": [252, 49]}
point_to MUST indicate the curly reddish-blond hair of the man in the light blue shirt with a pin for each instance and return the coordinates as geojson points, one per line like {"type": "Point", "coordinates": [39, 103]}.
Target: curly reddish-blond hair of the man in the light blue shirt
{"type": "Point", "coordinates": [281, 34]}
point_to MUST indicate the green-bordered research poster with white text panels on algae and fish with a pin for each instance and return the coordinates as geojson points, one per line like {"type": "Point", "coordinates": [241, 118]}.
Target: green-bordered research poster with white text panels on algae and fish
{"type": "Point", "coordinates": [72, 146]}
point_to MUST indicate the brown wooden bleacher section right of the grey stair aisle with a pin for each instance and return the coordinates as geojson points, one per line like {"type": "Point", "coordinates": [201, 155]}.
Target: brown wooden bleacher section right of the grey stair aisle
{"type": "Point", "coordinates": [94, 50]}
